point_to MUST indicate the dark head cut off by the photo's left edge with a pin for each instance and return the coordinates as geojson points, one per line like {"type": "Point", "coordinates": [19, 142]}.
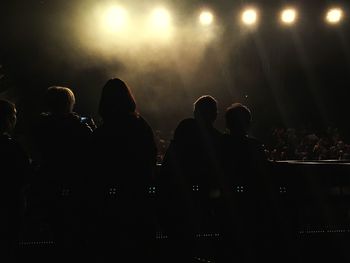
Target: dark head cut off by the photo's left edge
{"type": "Point", "coordinates": [7, 116]}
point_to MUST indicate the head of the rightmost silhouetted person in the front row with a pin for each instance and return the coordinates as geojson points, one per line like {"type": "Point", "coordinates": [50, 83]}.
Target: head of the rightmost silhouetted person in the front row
{"type": "Point", "coordinates": [238, 118]}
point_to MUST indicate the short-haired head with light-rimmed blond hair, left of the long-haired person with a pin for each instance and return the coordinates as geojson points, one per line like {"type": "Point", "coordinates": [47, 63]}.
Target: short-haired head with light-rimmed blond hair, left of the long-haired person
{"type": "Point", "coordinates": [59, 100]}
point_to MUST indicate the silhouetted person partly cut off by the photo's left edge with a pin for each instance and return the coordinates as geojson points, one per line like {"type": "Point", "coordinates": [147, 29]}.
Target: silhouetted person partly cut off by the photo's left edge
{"type": "Point", "coordinates": [14, 164]}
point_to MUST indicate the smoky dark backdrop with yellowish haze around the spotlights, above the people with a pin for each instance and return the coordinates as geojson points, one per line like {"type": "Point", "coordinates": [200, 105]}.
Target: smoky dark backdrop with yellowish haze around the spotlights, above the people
{"type": "Point", "coordinates": [293, 77]}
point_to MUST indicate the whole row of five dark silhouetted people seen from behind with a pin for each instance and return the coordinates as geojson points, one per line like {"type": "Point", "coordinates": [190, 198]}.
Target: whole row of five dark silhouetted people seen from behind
{"type": "Point", "coordinates": [101, 194]}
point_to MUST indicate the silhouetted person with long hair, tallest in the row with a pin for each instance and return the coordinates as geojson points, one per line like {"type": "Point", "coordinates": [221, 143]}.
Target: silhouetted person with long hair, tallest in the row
{"type": "Point", "coordinates": [125, 158]}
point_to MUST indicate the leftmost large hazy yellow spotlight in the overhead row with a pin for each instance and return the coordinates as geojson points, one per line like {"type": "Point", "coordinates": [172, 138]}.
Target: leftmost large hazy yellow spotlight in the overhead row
{"type": "Point", "coordinates": [115, 18]}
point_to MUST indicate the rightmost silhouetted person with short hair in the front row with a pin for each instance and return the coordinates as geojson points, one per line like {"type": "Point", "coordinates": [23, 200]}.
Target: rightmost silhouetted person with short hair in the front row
{"type": "Point", "coordinates": [244, 184]}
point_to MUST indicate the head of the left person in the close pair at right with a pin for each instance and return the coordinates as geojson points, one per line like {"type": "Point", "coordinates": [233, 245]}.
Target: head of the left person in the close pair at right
{"type": "Point", "coordinates": [205, 109]}
